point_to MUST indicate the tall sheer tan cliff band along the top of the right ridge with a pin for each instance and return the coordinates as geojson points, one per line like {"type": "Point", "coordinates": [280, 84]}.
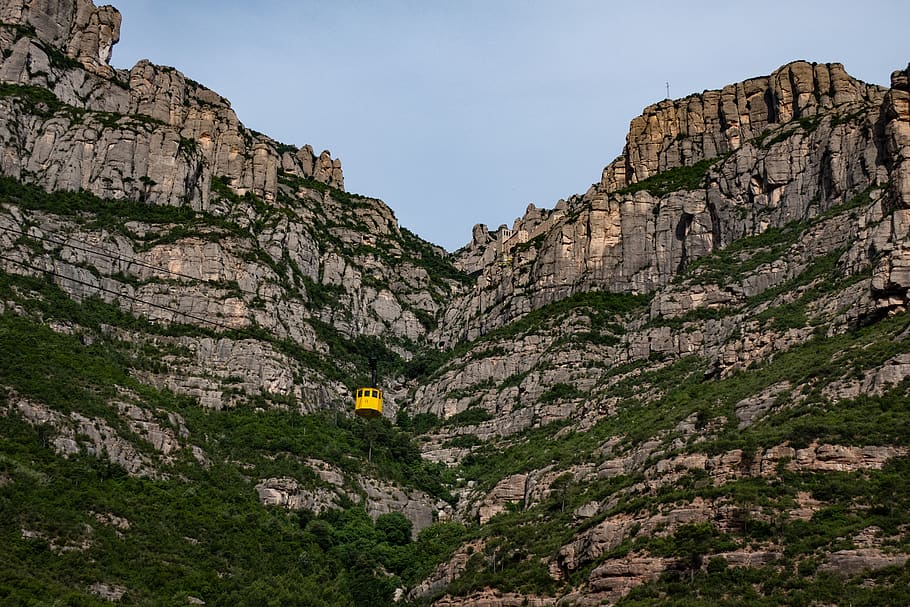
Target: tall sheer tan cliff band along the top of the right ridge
{"type": "Point", "coordinates": [723, 165]}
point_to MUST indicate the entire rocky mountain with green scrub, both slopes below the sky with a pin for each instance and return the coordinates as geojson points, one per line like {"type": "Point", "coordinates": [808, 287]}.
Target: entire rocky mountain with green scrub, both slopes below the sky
{"type": "Point", "coordinates": [685, 385]}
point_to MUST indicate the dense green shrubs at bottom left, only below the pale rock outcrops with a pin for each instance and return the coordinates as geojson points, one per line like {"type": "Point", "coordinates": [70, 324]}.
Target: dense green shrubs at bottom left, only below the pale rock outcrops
{"type": "Point", "coordinates": [205, 536]}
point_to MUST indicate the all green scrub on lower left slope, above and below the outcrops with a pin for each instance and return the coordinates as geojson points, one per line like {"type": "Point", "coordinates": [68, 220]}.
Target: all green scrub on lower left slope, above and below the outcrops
{"type": "Point", "coordinates": [198, 531]}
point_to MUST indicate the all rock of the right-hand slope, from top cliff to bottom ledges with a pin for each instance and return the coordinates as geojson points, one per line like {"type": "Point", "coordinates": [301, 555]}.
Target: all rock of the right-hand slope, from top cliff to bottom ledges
{"type": "Point", "coordinates": [806, 215]}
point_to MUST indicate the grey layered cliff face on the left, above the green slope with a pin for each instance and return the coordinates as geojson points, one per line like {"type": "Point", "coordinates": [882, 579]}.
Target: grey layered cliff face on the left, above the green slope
{"type": "Point", "coordinates": [275, 243]}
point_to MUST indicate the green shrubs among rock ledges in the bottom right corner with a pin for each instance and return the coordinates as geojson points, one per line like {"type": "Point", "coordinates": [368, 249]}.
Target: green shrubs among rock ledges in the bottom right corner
{"type": "Point", "coordinates": [857, 501]}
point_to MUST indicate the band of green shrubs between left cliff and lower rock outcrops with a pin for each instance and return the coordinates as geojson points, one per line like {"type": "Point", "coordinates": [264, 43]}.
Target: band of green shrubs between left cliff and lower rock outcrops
{"type": "Point", "coordinates": [71, 377]}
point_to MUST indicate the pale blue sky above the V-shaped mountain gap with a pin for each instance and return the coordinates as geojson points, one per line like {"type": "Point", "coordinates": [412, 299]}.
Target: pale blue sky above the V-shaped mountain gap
{"type": "Point", "coordinates": [456, 112]}
